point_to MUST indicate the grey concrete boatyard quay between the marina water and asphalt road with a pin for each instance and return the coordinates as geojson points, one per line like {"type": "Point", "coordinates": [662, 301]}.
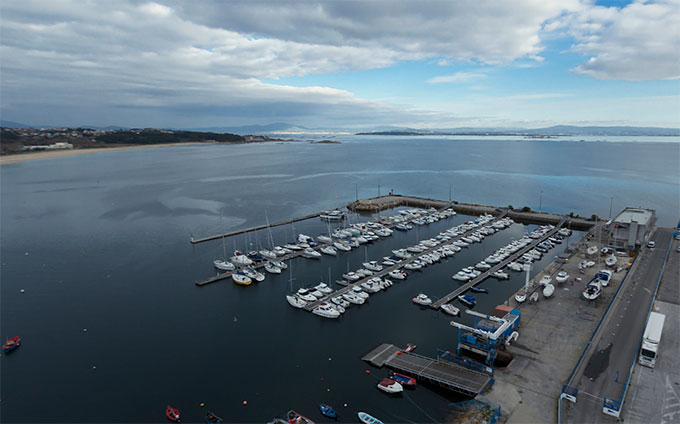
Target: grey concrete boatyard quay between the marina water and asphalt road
{"type": "Point", "coordinates": [552, 335]}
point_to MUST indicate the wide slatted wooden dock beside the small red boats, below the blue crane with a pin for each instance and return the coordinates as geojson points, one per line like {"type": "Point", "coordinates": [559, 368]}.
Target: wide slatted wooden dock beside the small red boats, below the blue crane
{"type": "Point", "coordinates": [438, 371]}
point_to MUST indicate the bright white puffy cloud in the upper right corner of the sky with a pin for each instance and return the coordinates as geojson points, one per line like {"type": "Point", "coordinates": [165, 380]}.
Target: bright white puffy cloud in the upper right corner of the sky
{"type": "Point", "coordinates": [638, 42]}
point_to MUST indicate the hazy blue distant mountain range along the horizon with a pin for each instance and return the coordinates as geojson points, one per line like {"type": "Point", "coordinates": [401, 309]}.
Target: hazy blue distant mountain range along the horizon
{"type": "Point", "coordinates": [282, 128]}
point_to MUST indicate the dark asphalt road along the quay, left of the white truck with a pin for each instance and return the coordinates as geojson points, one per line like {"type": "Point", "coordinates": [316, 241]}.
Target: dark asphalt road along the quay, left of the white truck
{"type": "Point", "coordinates": [606, 369]}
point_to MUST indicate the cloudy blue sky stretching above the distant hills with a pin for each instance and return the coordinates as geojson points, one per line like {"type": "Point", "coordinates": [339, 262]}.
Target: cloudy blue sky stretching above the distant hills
{"type": "Point", "coordinates": [340, 64]}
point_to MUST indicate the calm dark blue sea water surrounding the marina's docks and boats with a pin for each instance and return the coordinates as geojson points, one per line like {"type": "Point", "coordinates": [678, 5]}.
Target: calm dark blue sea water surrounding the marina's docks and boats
{"type": "Point", "coordinates": [101, 242]}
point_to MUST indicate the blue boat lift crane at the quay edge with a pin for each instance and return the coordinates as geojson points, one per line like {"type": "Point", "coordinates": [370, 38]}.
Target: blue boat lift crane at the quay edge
{"type": "Point", "coordinates": [488, 334]}
